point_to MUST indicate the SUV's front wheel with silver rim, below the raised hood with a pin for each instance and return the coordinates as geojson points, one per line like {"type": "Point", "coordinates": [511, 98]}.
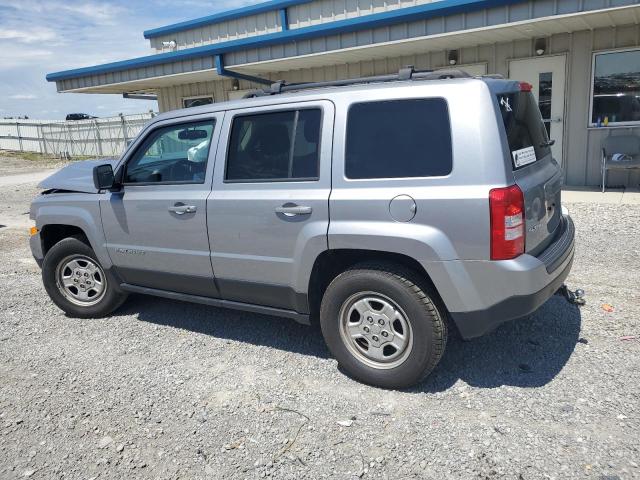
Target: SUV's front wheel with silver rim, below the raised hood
{"type": "Point", "coordinates": [77, 283]}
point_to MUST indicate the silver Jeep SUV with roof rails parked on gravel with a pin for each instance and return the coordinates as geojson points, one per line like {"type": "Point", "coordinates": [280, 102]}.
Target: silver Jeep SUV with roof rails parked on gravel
{"type": "Point", "coordinates": [380, 207]}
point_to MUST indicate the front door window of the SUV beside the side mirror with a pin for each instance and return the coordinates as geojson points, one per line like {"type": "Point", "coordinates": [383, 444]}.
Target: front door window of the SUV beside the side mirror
{"type": "Point", "coordinates": [172, 154]}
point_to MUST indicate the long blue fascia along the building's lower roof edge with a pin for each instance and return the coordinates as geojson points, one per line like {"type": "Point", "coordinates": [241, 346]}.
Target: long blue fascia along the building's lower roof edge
{"type": "Point", "coordinates": [420, 12]}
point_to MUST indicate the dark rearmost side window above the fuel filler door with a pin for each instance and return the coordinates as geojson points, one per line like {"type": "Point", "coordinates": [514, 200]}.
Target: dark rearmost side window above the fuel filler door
{"type": "Point", "coordinates": [398, 139]}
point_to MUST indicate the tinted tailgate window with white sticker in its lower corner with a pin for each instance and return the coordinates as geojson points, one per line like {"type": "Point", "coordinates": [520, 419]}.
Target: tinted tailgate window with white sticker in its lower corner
{"type": "Point", "coordinates": [526, 133]}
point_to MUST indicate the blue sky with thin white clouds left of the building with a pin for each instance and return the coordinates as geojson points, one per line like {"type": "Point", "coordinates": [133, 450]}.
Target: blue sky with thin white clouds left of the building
{"type": "Point", "coordinates": [43, 36]}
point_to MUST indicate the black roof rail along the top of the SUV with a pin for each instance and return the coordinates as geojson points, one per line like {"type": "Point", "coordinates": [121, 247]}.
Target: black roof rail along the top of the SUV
{"type": "Point", "coordinates": [405, 73]}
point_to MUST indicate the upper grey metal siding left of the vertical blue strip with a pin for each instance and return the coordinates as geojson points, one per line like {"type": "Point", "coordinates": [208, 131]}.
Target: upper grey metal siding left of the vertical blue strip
{"type": "Point", "coordinates": [250, 26]}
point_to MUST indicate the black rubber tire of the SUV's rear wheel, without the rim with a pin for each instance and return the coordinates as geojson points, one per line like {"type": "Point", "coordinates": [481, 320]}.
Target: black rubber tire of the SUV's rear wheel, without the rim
{"type": "Point", "coordinates": [413, 296]}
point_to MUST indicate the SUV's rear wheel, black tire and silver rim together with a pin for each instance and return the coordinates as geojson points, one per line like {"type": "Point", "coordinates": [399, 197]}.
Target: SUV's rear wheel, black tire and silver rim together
{"type": "Point", "coordinates": [383, 325]}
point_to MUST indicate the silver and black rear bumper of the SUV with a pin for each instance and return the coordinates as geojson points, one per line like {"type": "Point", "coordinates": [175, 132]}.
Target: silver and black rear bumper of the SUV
{"type": "Point", "coordinates": [516, 288]}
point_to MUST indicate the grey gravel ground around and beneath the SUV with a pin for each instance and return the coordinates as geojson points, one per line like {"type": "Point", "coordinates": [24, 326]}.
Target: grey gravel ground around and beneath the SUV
{"type": "Point", "coordinates": [165, 389]}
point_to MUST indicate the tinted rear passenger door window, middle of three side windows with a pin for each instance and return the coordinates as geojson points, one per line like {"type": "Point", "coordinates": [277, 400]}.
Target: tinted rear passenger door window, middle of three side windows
{"type": "Point", "coordinates": [275, 146]}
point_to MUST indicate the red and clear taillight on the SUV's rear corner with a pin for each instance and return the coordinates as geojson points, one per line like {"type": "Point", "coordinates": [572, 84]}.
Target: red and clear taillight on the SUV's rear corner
{"type": "Point", "coordinates": [507, 222]}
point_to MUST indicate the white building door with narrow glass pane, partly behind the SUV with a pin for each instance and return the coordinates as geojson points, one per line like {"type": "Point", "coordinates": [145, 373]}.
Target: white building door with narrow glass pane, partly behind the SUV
{"type": "Point", "coordinates": [547, 75]}
